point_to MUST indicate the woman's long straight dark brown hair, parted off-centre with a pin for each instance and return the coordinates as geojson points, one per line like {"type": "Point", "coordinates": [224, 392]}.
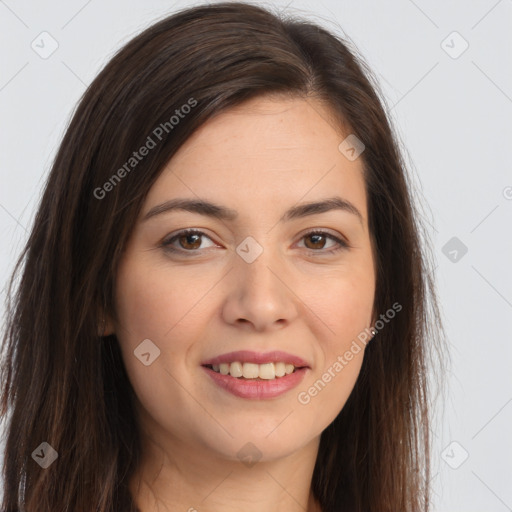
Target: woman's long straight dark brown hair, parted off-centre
{"type": "Point", "coordinates": [65, 385]}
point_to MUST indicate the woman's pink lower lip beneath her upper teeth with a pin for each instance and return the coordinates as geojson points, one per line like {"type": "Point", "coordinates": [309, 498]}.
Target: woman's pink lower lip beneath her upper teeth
{"type": "Point", "coordinates": [257, 389]}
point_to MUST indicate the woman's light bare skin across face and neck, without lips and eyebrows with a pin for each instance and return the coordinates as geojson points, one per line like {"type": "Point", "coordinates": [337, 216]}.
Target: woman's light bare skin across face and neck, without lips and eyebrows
{"type": "Point", "coordinates": [260, 159]}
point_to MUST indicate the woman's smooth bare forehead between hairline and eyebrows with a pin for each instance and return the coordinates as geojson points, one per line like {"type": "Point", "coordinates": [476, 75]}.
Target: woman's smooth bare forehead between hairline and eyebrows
{"type": "Point", "coordinates": [268, 152]}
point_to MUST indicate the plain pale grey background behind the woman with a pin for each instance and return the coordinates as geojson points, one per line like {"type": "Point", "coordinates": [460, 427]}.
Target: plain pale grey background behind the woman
{"type": "Point", "coordinates": [452, 111]}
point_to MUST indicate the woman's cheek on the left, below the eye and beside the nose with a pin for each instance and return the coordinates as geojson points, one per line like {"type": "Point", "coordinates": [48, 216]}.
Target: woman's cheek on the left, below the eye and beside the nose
{"type": "Point", "coordinates": [156, 302]}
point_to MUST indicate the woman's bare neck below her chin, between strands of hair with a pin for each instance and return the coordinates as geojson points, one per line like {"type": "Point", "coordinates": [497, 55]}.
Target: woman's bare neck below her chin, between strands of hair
{"type": "Point", "coordinates": [176, 475]}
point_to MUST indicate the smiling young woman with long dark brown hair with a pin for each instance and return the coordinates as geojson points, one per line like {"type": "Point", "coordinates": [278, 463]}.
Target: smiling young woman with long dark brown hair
{"type": "Point", "coordinates": [224, 301]}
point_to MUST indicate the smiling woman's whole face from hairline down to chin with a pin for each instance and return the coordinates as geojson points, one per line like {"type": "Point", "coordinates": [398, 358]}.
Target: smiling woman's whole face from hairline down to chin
{"type": "Point", "coordinates": [256, 281]}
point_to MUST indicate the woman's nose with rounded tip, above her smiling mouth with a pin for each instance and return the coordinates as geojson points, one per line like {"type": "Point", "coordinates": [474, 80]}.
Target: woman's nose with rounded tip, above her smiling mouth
{"type": "Point", "coordinates": [260, 295]}
